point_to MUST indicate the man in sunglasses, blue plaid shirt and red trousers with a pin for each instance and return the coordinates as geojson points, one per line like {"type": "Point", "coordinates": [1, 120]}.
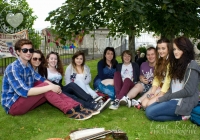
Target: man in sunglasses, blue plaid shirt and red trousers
{"type": "Point", "coordinates": [21, 93]}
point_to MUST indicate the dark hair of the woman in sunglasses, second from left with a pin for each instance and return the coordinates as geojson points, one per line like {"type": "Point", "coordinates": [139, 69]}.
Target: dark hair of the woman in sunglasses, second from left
{"type": "Point", "coordinates": [41, 67]}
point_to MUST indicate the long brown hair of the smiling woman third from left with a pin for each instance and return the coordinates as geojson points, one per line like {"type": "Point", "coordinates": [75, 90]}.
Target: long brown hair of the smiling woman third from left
{"type": "Point", "coordinates": [59, 67]}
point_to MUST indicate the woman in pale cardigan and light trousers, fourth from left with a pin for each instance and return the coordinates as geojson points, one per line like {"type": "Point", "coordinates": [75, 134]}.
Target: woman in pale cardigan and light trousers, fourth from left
{"type": "Point", "coordinates": [79, 73]}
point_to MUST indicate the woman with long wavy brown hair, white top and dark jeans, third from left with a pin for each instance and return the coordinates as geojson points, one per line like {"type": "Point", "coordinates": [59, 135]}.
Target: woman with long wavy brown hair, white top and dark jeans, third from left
{"type": "Point", "coordinates": [54, 74]}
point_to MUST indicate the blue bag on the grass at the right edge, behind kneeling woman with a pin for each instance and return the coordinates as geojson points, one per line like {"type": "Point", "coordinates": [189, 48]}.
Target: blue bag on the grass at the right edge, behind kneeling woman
{"type": "Point", "coordinates": [195, 114]}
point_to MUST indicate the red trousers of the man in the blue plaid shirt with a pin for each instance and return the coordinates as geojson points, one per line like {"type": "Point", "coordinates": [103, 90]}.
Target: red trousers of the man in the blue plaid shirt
{"type": "Point", "coordinates": [61, 101]}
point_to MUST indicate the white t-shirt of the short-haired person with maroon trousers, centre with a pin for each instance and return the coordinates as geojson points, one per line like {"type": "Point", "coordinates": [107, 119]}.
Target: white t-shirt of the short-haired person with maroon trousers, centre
{"type": "Point", "coordinates": [127, 72]}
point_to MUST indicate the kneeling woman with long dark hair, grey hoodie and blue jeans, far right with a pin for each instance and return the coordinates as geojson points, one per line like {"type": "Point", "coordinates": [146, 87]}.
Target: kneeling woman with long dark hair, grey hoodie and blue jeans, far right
{"type": "Point", "coordinates": [183, 95]}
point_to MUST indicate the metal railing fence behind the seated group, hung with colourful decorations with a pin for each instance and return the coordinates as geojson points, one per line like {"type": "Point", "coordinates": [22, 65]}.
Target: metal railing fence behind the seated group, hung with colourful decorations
{"type": "Point", "coordinates": [66, 54]}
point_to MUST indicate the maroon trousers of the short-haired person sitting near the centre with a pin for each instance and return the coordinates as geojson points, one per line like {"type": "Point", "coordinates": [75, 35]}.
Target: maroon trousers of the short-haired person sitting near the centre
{"type": "Point", "coordinates": [122, 88]}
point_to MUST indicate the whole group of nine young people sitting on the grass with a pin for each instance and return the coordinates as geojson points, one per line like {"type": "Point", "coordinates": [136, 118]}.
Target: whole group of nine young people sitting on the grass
{"type": "Point", "coordinates": [167, 82]}
